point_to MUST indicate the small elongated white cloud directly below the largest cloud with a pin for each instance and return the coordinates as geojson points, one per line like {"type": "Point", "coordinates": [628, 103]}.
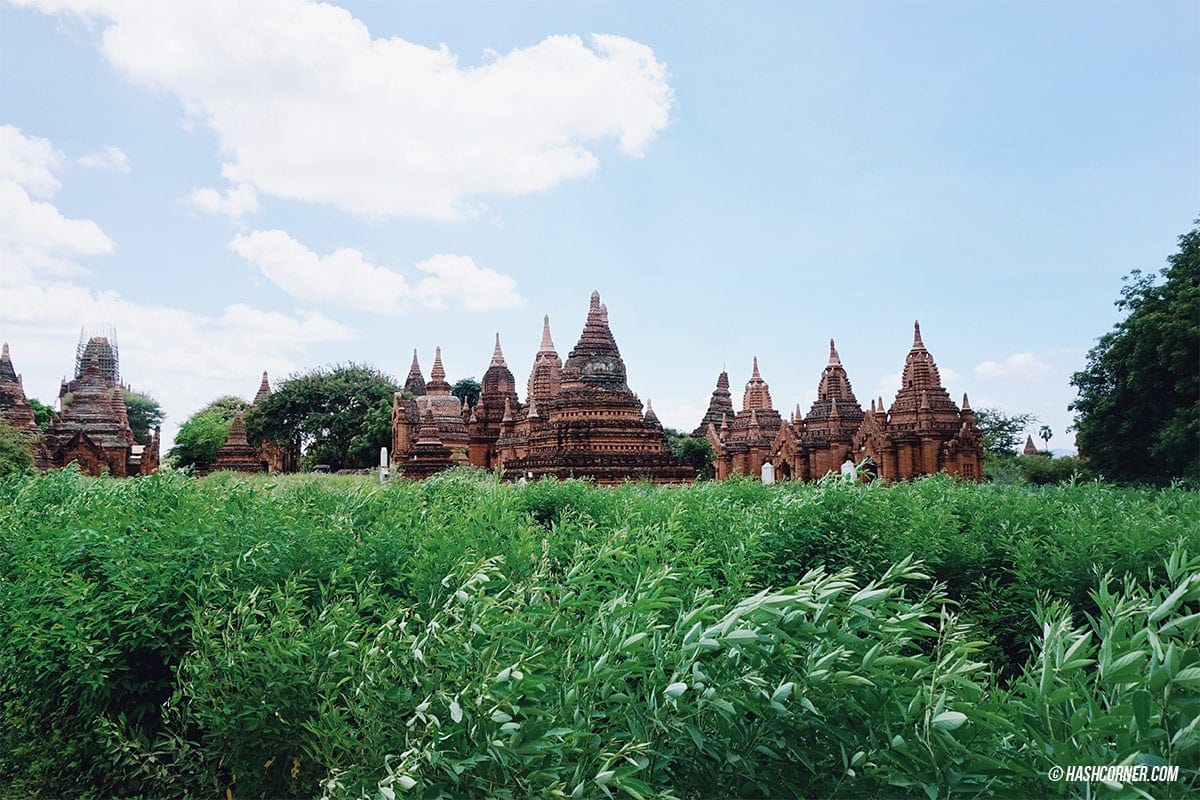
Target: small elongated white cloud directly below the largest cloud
{"type": "Point", "coordinates": [346, 280]}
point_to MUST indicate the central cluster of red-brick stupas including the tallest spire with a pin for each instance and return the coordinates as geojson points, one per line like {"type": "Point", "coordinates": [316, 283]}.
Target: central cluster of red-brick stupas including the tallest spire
{"type": "Point", "coordinates": [580, 418]}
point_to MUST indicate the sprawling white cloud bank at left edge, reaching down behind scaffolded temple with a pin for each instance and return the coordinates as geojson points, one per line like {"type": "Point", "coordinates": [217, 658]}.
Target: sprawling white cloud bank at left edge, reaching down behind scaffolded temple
{"type": "Point", "coordinates": [176, 354]}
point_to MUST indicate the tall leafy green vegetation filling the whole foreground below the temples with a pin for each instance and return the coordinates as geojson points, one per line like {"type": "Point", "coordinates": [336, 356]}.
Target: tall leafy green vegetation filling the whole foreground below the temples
{"type": "Point", "coordinates": [461, 637]}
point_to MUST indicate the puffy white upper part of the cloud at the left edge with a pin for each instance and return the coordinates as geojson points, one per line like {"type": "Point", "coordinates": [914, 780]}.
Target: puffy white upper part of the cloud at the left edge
{"type": "Point", "coordinates": [35, 237]}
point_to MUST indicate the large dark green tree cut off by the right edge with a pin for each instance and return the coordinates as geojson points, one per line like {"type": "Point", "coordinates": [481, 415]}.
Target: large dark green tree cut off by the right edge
{"type": "Point", "coordinates": [1138, 411]}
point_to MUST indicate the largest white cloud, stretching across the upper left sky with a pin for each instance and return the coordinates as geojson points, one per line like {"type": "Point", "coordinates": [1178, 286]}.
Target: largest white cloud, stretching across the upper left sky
{"type": "Point", "coordinates": [308, 106]}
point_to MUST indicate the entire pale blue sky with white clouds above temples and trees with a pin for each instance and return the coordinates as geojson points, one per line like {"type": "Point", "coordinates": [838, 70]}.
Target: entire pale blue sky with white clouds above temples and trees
{"type": "Point", "coordinates": [280, 185]}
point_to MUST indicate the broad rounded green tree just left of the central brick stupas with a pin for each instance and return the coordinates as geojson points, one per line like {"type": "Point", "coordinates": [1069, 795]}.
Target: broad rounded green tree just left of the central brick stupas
{"type": "Point", "coordinates": [338, 416]}
